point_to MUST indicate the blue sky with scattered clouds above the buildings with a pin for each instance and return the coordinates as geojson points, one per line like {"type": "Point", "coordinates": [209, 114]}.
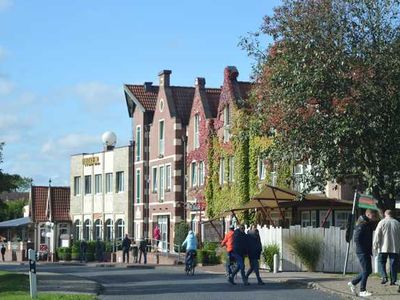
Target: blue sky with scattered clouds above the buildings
{"type": "Point", "coordinates": [63, 65]}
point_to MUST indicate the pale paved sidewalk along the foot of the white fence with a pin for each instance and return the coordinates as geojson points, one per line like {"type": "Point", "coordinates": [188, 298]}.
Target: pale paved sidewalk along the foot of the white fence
{"type": "Point", "coordinates": [331, 283]}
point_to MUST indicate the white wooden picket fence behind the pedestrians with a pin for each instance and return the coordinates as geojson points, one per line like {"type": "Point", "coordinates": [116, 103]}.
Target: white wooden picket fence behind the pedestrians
{"type": "Point", "coordinates": [333, 250]}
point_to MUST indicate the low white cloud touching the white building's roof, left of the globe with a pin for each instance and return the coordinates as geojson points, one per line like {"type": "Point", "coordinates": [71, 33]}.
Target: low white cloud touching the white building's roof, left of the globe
{"type": "Point", "coordinates": [70, 144]}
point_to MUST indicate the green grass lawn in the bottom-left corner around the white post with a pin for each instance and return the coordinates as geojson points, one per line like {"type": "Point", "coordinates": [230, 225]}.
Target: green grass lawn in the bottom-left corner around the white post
{"type": "Point", "coordinates": [15, 286]}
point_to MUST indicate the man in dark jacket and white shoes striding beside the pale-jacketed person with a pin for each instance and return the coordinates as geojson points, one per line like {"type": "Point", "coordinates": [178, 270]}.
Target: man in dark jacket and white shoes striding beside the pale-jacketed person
{"type": "Point", "coordinates": [363, 241]}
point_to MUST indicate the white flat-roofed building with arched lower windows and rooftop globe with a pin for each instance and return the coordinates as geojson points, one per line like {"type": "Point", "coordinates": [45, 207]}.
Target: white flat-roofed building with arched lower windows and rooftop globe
{"type": "Point", "coordinates": [101, 193]}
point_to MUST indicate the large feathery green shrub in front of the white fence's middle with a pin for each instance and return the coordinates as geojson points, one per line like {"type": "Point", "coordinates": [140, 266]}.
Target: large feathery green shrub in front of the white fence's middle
{"type": "Point", "coordinates": [307, 248]}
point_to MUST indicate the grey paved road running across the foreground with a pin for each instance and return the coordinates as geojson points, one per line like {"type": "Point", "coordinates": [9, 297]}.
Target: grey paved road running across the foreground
{"type": "Point", "coordinates": [170, 283]}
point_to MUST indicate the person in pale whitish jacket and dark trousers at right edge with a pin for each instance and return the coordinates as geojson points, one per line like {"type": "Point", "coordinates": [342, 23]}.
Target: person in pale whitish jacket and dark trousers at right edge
{"type": "Point", "coordinates": [387, 244]}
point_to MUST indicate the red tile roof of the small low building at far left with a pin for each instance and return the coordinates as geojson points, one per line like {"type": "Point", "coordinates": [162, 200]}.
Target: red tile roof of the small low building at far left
{"type": "Point", "coordinates": [60, 201]}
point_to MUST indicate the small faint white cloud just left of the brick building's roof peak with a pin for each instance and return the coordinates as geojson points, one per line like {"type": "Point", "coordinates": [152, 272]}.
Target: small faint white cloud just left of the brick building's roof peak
{"type": "Point", "coordinates": [97, 95]}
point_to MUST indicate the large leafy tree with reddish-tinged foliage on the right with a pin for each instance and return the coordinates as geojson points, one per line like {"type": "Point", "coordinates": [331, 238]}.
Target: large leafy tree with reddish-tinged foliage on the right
{"type": "Point", "coordinates": [328, 86]}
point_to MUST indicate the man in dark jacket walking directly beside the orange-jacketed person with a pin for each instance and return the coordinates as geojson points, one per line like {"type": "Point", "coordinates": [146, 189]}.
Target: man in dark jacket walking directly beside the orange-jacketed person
{"type": "Point", "coordinates": [238, 253]}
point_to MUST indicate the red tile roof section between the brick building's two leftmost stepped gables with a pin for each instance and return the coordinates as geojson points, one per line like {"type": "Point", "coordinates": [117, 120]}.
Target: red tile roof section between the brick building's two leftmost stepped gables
{"type": "Point", "coordinates": [183, 98]}
